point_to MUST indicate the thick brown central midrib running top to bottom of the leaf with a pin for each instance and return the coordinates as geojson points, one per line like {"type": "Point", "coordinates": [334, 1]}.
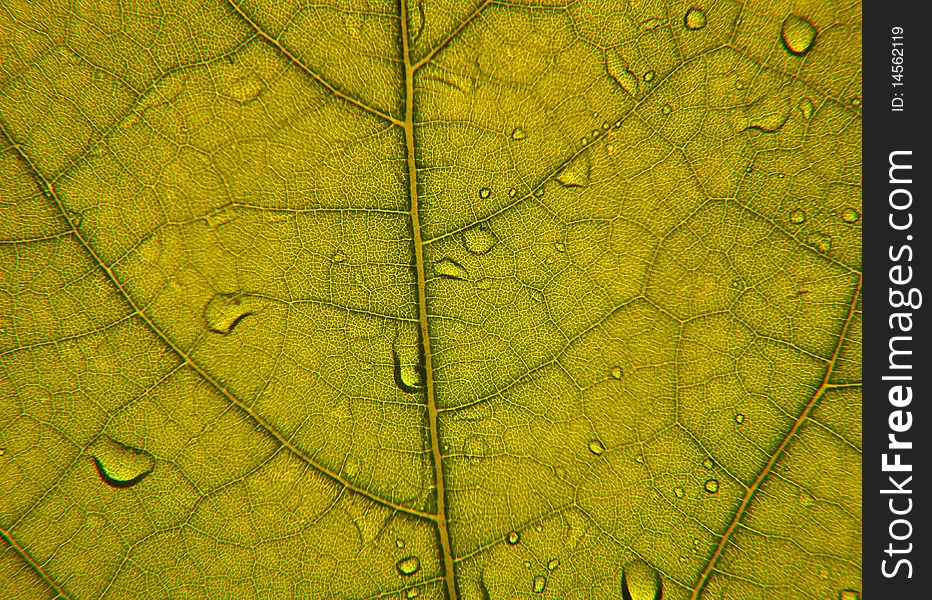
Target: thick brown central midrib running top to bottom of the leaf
{"type": "Point", "coordinates": [443, 529]}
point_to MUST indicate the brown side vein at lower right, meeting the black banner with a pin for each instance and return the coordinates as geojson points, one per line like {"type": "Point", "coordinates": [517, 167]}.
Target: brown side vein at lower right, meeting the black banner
{"type": "Point", "coordinates": [803, 417]}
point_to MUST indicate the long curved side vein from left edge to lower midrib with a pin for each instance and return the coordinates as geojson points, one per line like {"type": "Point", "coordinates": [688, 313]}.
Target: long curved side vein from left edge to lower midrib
{"type": "Point", "coordinates": [222, 390]}
